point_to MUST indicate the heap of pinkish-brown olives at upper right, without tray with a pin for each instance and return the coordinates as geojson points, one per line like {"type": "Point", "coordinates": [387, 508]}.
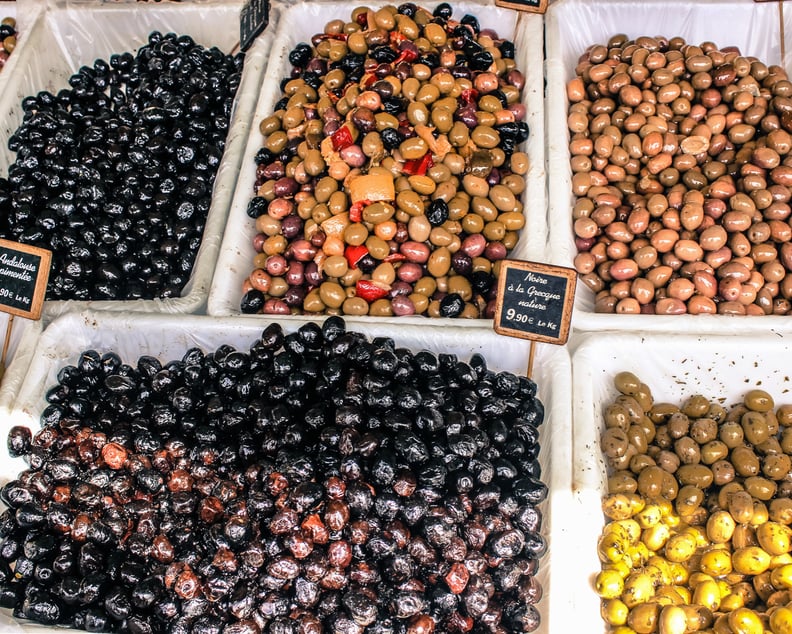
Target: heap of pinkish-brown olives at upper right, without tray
{"type": "Point", "coordinates": [682, 172]}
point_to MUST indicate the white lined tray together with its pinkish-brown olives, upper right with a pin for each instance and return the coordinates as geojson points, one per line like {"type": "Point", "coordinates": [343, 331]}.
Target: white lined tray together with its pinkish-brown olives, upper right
{"type": "Point", "coordinates": [673, 160]}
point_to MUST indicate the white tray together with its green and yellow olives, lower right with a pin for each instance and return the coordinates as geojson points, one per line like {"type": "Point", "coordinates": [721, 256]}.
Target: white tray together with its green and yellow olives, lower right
{"type": "Point", "coordinates": [706, 434]}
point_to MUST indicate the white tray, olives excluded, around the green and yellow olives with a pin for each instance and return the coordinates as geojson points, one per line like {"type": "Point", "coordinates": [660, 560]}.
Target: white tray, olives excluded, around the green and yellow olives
{"type": "Point", "coordinates": [720, 368]}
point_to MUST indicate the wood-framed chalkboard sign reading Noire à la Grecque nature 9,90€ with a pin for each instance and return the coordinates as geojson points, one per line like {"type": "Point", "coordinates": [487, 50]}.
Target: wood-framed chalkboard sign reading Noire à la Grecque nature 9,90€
{"type": "Point", "coordinates": [534, 301]}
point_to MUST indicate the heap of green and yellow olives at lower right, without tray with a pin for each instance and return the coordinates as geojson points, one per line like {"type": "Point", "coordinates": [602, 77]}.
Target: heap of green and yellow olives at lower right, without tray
{"type": "Point", "coordinates": [699, 504]}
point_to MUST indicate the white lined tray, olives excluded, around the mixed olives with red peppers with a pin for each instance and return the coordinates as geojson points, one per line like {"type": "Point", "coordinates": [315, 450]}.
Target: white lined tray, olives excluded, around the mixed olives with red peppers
{"type": "Point", "coordinates": [299, 24]}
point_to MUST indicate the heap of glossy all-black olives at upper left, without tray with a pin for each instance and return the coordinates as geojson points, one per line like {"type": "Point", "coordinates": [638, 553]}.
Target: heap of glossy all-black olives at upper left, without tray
{"type": "Point", "coordinates": [115, 173]}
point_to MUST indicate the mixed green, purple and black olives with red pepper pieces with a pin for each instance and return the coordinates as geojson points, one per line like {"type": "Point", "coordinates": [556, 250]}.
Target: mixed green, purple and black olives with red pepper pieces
{"type": "Point", "coordinates": [390, 180]}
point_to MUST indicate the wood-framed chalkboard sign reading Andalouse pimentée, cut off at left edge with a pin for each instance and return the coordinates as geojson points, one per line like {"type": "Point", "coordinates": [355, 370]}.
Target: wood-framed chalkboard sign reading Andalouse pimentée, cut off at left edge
{"type": "Point", "coordinates": [23, 278]}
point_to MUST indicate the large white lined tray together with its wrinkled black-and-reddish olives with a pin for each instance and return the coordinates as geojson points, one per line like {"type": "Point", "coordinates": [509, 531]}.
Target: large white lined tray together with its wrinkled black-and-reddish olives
{"type": "Point", "coordinates": [344, 439]}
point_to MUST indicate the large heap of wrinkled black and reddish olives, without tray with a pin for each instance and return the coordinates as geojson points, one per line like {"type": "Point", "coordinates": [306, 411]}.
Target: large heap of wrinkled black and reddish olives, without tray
{"type": "Point", "coordinates": [319, 481]}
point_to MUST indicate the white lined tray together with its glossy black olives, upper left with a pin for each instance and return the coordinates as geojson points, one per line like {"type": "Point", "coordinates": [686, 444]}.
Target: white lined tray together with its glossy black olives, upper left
{"type": "Point", "coordinates": [86, 116]}
